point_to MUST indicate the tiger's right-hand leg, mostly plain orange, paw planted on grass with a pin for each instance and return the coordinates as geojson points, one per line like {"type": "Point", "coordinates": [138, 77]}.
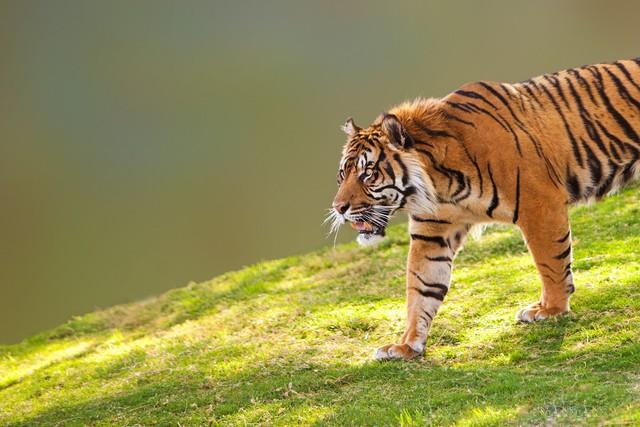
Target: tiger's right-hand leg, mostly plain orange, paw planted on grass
{"type": "Point", "coordinates": [548, 237]}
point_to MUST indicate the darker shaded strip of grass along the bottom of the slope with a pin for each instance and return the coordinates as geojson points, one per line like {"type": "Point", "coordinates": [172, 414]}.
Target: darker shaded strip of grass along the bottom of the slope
{"type": "Point", "coordinates": [375, 393]}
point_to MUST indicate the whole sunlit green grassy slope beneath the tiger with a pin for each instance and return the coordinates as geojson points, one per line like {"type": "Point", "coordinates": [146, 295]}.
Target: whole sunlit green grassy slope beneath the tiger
{"type": "Point", "coordinates": [289, 342]}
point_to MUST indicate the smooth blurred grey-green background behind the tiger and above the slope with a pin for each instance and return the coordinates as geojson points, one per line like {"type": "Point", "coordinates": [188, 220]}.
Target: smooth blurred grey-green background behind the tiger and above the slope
{"type": "Point", "coordinates": [146, 144]}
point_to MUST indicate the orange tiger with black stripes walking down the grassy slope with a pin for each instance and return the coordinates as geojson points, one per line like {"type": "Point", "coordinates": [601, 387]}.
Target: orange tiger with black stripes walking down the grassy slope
{"type": "Point", "coordinates": [490, 152]}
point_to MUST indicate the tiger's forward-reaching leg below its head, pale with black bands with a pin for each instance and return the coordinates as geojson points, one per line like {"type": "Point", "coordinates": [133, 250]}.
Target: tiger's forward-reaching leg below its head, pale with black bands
{"type": "Point", "coordinates": [433, 246]}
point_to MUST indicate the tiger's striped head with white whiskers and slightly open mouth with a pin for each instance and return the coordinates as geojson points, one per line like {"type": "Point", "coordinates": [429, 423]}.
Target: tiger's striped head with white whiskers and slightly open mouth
{"type": "Point", "coordinates": [378, 175]}
